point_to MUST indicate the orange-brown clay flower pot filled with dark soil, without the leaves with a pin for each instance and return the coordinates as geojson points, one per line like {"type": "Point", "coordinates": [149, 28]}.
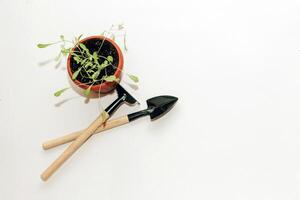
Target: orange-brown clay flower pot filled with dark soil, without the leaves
{"type": "Point", "coordinates": [108, 48]}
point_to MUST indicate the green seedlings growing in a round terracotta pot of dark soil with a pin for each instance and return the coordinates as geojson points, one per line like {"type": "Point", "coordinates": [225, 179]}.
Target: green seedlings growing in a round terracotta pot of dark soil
{"type": "Point", "coordinates": [94, 63]}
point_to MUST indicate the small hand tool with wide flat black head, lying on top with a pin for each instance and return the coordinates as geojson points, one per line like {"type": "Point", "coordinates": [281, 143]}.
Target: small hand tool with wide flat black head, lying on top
{"type": "Point", "coordinates": [123, 96]}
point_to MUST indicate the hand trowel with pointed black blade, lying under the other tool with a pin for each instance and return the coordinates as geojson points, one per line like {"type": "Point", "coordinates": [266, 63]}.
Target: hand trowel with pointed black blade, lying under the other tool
{"type": "Point", "coordinates": [157, 106]}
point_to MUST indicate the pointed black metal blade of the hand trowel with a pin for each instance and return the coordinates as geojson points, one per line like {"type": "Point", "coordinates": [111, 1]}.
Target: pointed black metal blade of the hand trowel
{"type": "Point", "coordinates": [160, 105]}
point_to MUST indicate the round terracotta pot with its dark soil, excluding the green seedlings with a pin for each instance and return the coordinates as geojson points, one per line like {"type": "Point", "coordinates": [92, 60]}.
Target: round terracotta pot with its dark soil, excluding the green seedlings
{"type": "Point", "coordinates": [104, 47]}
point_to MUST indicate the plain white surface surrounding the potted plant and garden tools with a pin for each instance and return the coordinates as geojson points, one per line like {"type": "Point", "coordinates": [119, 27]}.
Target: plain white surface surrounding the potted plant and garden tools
{"type": "Point", "coordinates": [234, 133]}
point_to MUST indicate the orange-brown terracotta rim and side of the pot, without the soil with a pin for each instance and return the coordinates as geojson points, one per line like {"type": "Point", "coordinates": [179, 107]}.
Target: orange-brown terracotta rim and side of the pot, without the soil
{"type": "Point", "coordinates": [105, 87]}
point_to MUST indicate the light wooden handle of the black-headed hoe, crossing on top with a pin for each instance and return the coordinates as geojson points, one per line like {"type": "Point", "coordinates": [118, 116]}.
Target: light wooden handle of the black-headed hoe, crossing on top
{"type": "Point", "coordinates": [74, 146]}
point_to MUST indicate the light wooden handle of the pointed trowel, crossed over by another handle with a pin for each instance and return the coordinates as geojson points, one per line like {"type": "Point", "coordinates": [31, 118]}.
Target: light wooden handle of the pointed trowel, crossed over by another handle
{"type": "Point", "coordinates": [72, 136]}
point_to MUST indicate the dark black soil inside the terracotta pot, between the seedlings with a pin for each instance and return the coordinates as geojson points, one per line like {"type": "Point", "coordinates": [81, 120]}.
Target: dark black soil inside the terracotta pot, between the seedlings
{"type": "Point", "coordinates": [107, 49]}
